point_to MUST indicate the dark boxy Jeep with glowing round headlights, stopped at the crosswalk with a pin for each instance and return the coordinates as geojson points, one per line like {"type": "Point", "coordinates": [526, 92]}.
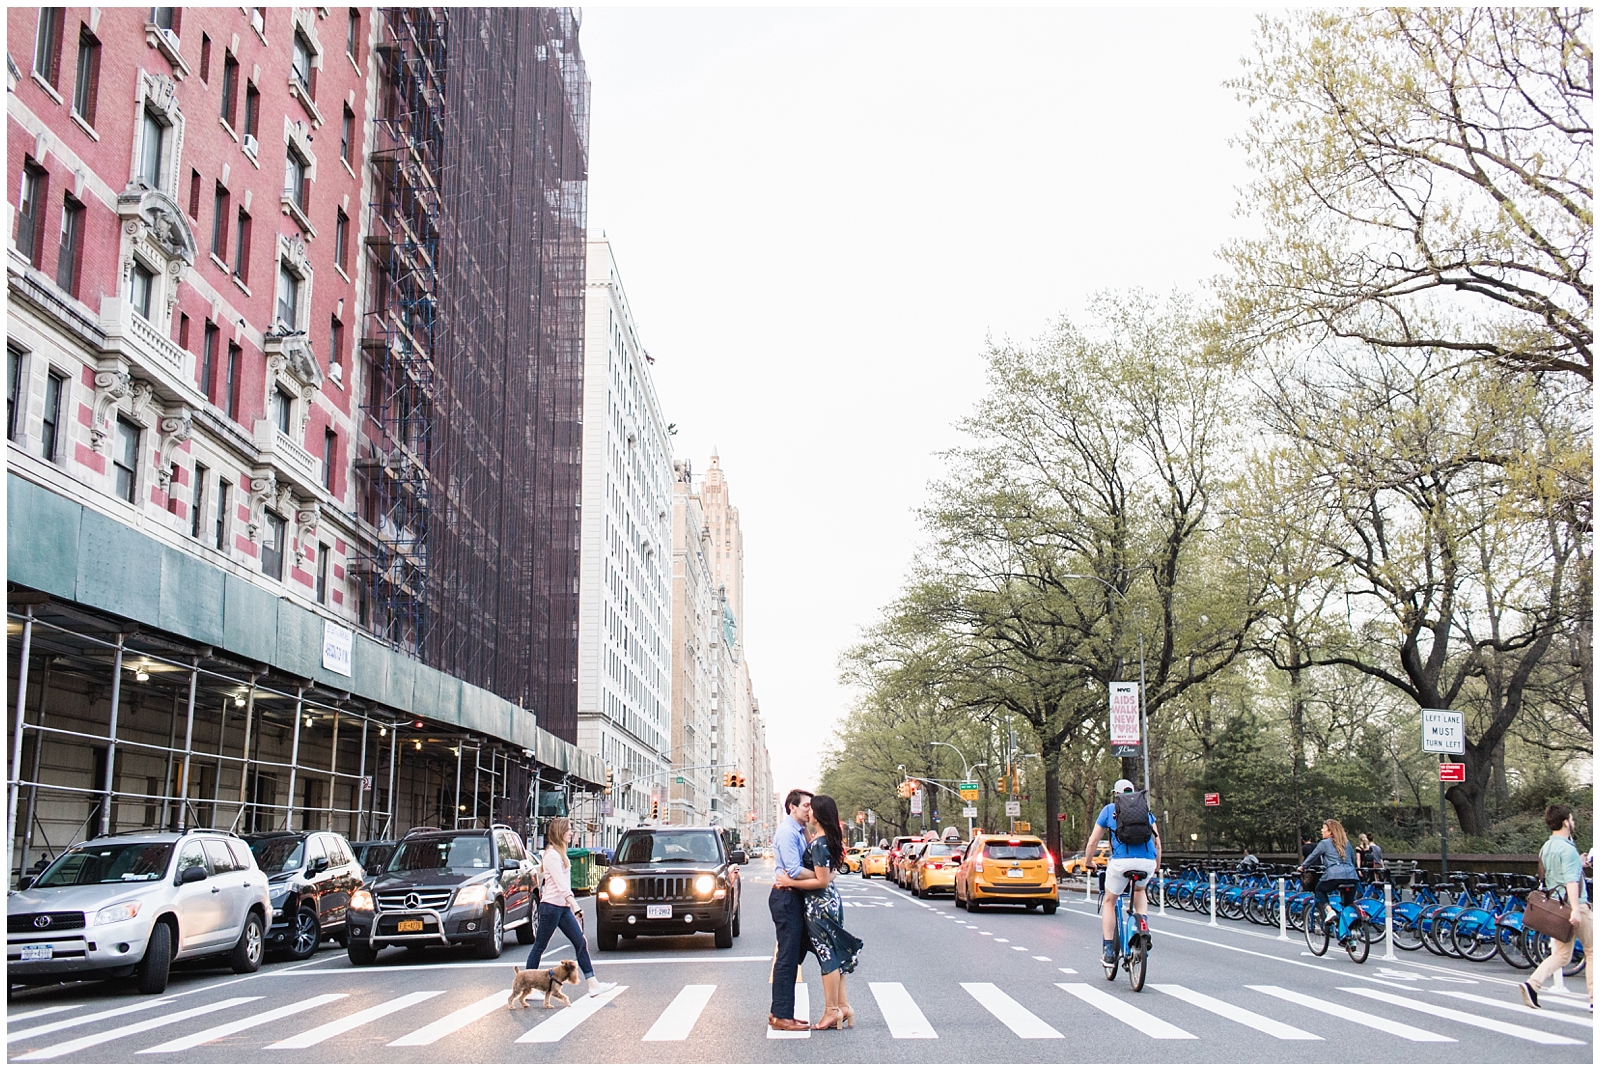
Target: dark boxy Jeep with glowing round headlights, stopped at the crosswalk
{"type": "Point", "coordinates": [679, 880]}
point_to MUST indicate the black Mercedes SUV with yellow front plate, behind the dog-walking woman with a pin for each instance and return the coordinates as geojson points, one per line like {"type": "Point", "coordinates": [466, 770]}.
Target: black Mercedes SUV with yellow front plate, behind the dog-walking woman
{"type": "Point", "coordinates": [447, 888]}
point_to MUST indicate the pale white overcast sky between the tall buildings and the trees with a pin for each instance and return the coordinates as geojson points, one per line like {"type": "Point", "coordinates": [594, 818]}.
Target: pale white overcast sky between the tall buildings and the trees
{"type": "Point", "coordinates": [823, 217]}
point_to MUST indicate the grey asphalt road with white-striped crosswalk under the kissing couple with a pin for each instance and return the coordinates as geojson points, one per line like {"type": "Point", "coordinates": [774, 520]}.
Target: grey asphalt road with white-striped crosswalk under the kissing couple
{"type": "Point", "coordinates": [935, 985]}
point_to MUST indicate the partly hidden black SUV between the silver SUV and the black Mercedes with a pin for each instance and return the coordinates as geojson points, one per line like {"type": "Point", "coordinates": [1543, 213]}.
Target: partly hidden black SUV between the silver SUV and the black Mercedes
{"type": "Point", "coordinates": [311, 878]}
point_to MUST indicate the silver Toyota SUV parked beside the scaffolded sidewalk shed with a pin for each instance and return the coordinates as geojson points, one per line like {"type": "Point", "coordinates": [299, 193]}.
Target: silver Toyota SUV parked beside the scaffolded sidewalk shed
{"type": "Point", "coordinates": [134, 904]}
